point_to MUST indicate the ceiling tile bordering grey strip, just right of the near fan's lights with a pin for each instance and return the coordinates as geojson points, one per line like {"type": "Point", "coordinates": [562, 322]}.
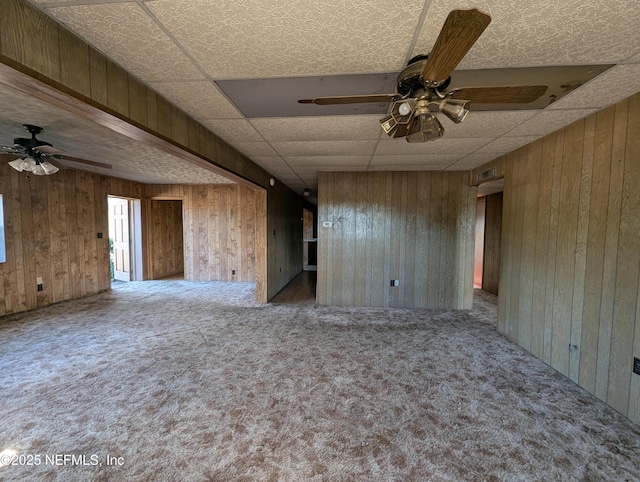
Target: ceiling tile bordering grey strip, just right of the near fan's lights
{"type": "Point", "coordinates": [485, 123]}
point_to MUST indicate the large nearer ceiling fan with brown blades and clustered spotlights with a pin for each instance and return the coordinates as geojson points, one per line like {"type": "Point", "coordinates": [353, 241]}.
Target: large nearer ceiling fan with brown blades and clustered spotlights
{"type": "Point", "coordinates": [422, 85]}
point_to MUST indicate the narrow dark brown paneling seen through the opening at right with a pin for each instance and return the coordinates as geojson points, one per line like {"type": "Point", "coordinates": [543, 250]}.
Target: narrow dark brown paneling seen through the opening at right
{"type": "Point", "coordinates": [492, 239]}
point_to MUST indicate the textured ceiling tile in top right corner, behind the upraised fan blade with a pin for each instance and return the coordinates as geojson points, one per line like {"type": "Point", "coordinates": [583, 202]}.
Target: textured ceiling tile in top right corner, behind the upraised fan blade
{"type": "Point", "coordinates": [543, 32]}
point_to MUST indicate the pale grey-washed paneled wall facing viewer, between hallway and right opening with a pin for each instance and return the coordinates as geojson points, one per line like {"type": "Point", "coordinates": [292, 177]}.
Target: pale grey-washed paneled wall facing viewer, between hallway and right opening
{"type": "Point", "coordinates": [417, 227]}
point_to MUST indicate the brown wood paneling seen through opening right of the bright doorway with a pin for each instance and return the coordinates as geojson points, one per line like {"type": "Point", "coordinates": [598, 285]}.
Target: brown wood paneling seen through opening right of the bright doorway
{"type": "Point", "coordinates": [166, 239]}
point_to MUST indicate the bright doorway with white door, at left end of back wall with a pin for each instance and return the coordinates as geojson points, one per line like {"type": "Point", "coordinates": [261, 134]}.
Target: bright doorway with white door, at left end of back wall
{"type": "Point", "coordinates": [125, 236]}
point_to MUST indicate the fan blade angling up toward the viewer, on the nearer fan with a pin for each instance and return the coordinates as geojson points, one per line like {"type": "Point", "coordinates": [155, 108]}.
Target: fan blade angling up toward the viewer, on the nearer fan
{"type": "Point", "coordinates": [459, 32]}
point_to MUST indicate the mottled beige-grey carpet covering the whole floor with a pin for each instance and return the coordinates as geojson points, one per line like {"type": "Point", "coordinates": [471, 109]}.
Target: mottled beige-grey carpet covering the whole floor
{"type": "Point", "coordinates": [183, 381]}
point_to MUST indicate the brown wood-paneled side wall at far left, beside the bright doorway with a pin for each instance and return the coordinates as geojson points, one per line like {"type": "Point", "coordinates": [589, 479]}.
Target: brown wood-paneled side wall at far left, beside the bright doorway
{"type": "Point", "coordinates": [51, 230]}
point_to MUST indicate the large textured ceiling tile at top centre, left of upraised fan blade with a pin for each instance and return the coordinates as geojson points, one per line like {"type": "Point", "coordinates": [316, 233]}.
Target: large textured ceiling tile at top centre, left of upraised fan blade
{"type": "Point", "coordinates": [280, 38]}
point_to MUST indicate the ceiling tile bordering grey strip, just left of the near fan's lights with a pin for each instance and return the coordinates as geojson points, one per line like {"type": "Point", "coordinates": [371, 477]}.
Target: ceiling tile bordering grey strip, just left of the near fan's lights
{"type": "Point", "coordinates": [324, 128]}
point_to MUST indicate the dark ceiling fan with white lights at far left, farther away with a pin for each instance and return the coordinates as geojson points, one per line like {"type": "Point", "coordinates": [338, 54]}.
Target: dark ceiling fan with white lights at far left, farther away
{"type": "Point", "coordinates": [40, 156]}
